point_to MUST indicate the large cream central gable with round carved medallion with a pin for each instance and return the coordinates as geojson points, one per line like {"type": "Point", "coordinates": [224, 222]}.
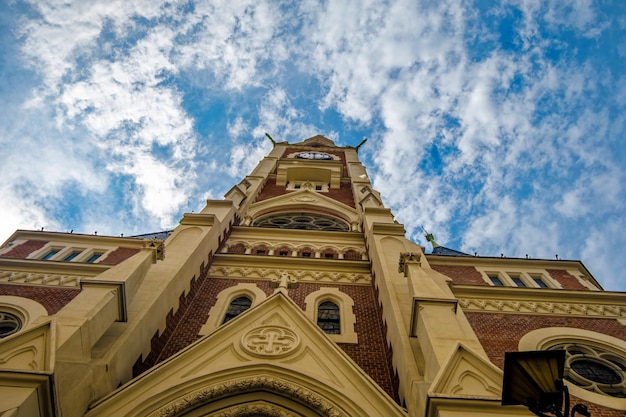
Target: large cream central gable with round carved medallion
{"type": "Point", "coordinates": [272, 347]}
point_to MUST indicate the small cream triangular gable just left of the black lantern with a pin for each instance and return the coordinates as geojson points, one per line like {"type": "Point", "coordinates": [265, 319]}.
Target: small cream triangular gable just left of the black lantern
{"type": "Point", "coordinates": [467, 375]}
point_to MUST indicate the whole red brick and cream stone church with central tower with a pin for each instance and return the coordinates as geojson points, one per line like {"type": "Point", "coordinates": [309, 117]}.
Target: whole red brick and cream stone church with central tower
{"type": "Point", "coordinates": [298, 294]}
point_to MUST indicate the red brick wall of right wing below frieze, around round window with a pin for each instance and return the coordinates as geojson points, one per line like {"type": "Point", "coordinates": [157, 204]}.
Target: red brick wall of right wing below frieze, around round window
{"type": "Point", "coordinates": [499, 333]}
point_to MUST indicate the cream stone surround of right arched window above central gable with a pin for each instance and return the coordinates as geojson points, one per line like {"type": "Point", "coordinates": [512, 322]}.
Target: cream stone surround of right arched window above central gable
{"type": "Point", "coordinates": [346, 311]}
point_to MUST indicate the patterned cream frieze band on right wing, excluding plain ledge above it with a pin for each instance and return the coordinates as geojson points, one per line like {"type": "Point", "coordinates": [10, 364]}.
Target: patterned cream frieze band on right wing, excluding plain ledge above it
{"type": "Point", "coordinates": [543, 307]}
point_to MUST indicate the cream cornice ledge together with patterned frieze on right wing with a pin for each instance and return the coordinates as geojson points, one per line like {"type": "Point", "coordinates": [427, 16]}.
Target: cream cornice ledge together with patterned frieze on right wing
{"type": "Point", "coordinates": [541, 301]}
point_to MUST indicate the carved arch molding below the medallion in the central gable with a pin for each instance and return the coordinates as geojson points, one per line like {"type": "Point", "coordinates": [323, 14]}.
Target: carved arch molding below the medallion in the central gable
{"type": "Point", "coordinates": [278, 386]}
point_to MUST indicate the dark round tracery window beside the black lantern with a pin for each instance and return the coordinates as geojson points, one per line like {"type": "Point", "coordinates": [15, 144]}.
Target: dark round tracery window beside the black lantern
{"type": "Point", "coordinates": [595, 369]}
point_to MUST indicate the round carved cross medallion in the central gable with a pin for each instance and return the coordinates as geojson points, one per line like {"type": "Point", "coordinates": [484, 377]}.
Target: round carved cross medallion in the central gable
{"type": "Point", "coordinates": [270, 341]}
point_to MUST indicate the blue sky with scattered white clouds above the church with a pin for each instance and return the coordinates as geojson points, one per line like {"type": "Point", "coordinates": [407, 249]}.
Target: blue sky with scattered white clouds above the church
{"type": "Point", "coordinates": [498, 127]}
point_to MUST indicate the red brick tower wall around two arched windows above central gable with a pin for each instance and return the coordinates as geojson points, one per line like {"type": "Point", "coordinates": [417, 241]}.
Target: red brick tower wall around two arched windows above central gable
{"type": "Point", "coordinates": [371, 353]}
